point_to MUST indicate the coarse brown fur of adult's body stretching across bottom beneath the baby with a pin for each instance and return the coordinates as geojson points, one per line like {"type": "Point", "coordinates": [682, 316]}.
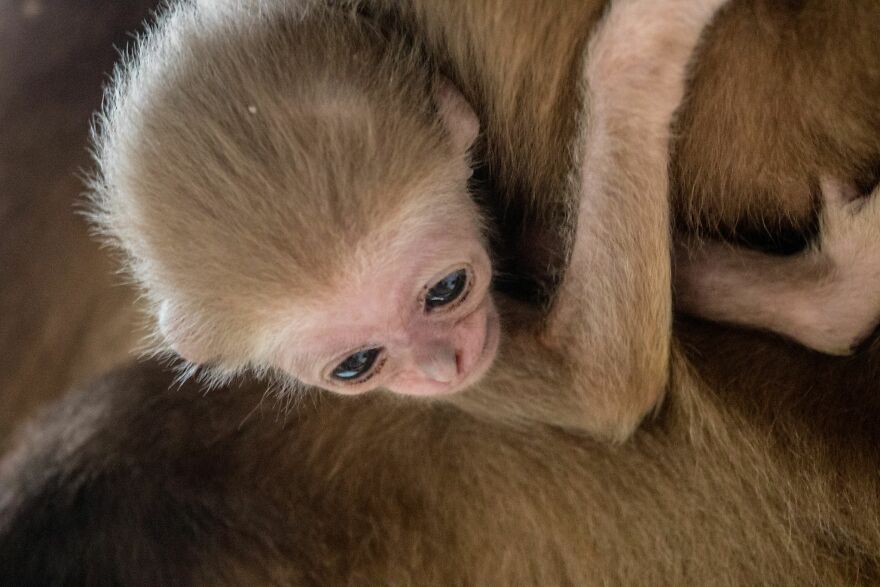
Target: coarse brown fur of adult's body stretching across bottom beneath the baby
{"type": "Point", "coordinates": [712, 490]}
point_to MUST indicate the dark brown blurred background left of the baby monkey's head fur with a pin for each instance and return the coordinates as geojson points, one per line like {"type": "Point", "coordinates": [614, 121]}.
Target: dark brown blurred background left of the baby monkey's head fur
{"type": "Point", "coordinates": [63, 315]}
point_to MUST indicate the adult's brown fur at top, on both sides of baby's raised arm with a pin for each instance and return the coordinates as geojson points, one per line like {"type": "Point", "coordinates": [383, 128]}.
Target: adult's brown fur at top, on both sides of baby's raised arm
{"type": "Point", "coordinates": [746, 156]}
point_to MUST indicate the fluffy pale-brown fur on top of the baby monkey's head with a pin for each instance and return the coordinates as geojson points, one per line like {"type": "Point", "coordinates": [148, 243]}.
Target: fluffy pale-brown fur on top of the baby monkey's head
{"type": "Point", "coordinates": [236, 160]}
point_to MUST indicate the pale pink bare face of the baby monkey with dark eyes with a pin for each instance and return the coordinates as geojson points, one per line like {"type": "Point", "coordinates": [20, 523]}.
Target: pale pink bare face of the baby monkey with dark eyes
{"type": "Point", "coordinates": [421, 322]}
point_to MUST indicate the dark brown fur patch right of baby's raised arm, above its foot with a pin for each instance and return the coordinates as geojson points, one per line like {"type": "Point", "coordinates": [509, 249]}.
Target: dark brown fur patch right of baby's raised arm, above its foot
{"type": "Point", "coordinates": [752, 155]}
